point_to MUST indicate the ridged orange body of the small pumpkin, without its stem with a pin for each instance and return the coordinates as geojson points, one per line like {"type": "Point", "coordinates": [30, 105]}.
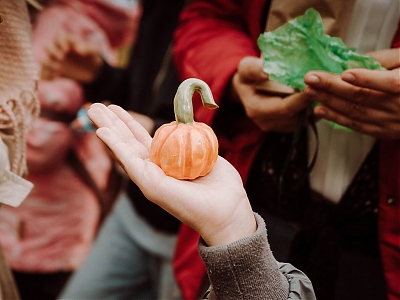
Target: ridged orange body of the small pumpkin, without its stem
{"type": "Point", "coordinates": [184, 151]}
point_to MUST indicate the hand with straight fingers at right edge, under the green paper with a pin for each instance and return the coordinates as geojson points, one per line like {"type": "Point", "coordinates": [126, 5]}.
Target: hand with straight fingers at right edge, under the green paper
{"type": "Point", "coordinates": [360, 99]}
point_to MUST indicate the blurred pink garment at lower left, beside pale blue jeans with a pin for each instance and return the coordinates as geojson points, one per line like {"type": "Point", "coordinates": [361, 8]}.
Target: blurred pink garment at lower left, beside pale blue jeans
{"type": "Point", "coordinates": [53, 229]}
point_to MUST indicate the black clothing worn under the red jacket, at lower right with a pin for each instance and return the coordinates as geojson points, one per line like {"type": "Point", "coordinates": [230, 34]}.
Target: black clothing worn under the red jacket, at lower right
{"type": "Point", "coordinates": [323, 238]}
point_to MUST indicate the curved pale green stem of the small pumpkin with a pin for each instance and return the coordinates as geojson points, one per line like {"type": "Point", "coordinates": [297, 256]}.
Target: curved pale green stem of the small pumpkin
{"type": "Point", "coordinates": [183, 106]}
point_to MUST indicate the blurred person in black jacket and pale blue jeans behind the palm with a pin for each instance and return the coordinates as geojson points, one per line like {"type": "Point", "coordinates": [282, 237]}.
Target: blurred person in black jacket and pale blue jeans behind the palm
{"type": "Point", "coordinates": [139, 265]}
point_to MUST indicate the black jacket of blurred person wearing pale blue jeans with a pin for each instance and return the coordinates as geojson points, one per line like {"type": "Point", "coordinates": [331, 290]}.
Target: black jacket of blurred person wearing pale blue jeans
{"type": "Point", "coordinates": [147, 86]}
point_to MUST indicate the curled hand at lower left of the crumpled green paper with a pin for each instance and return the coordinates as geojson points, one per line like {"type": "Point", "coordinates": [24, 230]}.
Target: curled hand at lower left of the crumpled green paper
{"type": "Point", "coordinates": [268, 112]}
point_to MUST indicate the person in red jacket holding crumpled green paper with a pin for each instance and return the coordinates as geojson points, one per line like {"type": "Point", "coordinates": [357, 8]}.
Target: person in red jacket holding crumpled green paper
{"type": "Point", "coordinates": [341, 220]}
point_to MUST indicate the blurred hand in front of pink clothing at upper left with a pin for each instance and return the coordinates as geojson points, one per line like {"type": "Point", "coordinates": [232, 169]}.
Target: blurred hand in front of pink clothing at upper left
{"type": "Point", "coordinates": [71, 57]}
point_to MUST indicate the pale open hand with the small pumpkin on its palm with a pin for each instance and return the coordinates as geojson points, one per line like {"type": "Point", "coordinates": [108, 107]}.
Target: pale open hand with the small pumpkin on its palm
{"type": "Point", "coordinates": [215, 205]}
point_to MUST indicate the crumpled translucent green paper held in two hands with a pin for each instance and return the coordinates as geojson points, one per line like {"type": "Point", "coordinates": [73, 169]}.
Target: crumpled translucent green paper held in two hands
{"type": "Point", "coordinates": [301, 45]}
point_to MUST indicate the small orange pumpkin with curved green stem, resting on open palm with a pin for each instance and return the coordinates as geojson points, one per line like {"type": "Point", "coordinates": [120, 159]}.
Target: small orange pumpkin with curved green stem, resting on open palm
{"type": "Point", "coordinates": [186, 149]}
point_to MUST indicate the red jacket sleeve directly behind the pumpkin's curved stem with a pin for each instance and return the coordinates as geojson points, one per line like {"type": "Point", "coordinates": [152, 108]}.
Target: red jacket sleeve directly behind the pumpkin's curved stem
{"type": "Point", "coordinates": [211, 39]}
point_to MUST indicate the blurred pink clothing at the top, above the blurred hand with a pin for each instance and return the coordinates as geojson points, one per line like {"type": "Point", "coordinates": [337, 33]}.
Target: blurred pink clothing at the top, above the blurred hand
{"type": "Point", "coordinates": [106, 26]}
